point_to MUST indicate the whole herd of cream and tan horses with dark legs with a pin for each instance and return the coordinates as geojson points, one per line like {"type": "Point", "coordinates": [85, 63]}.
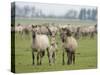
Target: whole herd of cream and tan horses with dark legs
{"type": "Point", "coordinates": [44, 40]}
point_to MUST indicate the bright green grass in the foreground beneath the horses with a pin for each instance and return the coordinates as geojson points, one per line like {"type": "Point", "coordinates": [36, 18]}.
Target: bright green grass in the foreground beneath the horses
{"type": "Point", "coordinates": [86, 57]}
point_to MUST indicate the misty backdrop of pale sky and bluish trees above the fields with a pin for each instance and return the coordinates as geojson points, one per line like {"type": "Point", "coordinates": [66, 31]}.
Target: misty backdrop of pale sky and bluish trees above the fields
{"type": "Point", "coordinates": [40, 10]}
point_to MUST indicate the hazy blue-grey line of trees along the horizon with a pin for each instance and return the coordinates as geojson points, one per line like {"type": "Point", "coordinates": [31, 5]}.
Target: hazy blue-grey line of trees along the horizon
{"type": "Point", "coordinates": [31, 12]}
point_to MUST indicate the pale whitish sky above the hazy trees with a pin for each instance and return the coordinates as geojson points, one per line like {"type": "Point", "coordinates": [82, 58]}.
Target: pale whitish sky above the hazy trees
{"type": "Point", "coordinates": [56, 9]}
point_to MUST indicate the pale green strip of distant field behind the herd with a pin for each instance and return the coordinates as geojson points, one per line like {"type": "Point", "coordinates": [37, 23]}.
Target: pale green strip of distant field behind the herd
{"type": "Point", "coordinates": [50, 20]}
